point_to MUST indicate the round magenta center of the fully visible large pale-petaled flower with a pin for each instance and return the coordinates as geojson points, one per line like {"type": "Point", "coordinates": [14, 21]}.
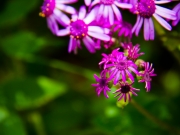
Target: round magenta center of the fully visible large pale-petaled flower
{"type": "Point", "coordinates": [78, 29]}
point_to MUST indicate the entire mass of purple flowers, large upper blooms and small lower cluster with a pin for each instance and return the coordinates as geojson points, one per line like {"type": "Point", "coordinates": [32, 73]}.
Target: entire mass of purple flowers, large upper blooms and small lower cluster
{"type": "Point", "coordinates": [100, 23]}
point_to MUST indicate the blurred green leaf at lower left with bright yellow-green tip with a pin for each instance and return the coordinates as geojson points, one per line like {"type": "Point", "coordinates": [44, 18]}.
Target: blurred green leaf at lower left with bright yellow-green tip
{"type": "Point", "coordinates": [28, 93]}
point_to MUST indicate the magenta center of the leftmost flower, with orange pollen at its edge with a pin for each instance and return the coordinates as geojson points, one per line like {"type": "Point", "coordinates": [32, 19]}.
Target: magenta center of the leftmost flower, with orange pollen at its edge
{"type": "Point", "coordinates": [47, 8]}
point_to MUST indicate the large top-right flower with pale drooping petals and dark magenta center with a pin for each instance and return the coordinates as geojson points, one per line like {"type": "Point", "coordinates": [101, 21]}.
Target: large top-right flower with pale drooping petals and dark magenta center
{"type": "Point", "coordinates": [148, 8]}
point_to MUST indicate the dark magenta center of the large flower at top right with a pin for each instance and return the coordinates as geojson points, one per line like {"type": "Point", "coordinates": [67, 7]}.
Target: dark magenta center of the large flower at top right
{"type": "Point", "coordinates": [146, 8]}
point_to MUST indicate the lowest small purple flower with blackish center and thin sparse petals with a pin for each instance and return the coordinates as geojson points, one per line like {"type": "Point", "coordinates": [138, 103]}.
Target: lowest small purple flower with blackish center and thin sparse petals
{"type": "Point", "coordinates": [125, 91]}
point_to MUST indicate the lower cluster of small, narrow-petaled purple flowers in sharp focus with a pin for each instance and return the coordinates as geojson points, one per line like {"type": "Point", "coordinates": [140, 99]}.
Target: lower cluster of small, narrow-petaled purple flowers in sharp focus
{"type": "Point", "coordinates": [121, 69]}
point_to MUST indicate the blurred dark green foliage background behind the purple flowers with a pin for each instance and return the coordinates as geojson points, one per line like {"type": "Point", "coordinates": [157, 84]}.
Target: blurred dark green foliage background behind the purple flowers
{"type": "Point", "coordinates": [44, 90]}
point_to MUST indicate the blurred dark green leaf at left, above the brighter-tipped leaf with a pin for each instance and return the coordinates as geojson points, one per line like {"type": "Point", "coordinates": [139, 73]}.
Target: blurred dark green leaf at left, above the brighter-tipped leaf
{"type": "Point", "coordinates": [22, 44]}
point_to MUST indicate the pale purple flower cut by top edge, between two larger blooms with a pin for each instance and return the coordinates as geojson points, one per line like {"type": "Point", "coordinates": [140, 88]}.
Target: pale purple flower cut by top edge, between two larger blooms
{"type": "Point", "coordinates": [107, 9]}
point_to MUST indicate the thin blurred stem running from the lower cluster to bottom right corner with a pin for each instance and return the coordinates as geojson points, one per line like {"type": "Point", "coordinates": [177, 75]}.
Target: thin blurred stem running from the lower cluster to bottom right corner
{"type": "Point", "coordinates": [154, 119]}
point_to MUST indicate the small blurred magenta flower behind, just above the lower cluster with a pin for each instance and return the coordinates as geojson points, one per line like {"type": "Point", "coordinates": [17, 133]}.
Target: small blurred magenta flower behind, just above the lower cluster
{"type": "Point", "coordinates": [124, 28]}
